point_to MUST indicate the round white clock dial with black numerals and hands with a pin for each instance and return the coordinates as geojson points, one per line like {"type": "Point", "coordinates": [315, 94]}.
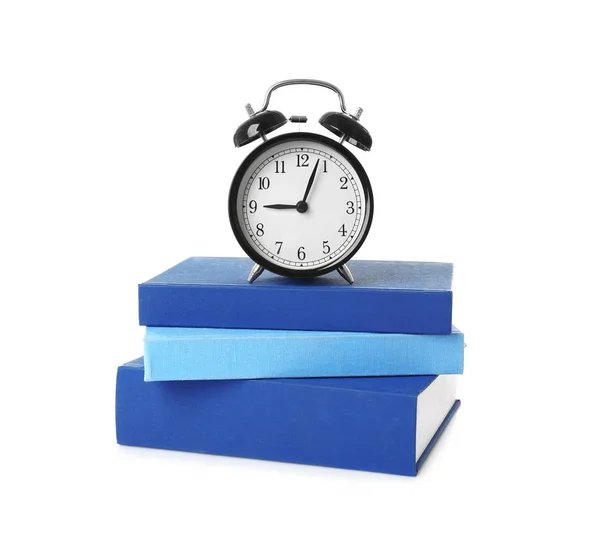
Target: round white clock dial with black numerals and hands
{"type": "Point", "coordinates": [302, 206]}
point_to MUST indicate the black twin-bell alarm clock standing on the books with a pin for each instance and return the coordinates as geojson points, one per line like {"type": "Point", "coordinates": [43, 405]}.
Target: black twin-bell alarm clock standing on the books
{"type": "Point", "coordinates": [301, 204]}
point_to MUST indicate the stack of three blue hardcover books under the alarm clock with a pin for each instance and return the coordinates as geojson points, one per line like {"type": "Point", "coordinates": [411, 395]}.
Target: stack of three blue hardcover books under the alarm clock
{"type": "Point", "coordinates": [311, 371]}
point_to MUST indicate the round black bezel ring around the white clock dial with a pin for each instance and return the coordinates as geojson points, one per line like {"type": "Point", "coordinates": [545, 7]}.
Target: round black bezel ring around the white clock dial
{"type": "Point", "coordinates": [234, 191]}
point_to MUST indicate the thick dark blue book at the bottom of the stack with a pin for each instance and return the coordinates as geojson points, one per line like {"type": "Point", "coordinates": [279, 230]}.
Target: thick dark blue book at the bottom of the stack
{"type": "Point", "coordinates": [387, 424]}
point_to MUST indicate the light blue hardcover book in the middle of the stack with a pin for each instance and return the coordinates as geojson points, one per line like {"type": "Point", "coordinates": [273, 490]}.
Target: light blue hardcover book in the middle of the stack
{"type": "Point", "coordinates": [198, 353]}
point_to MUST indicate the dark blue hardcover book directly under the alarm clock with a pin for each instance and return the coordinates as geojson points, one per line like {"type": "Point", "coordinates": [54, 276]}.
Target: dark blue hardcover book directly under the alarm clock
{"type": "Point", "coordinates": [387, 297]}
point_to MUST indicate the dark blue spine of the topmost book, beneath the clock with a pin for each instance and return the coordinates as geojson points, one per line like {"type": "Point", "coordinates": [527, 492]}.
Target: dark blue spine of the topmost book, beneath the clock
{"type": "Point", "coordinates": [376, 311]}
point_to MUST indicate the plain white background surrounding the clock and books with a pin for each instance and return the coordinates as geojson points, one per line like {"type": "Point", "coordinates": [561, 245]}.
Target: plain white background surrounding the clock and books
{"type": "Point", "coordinates": [116, 154]}
